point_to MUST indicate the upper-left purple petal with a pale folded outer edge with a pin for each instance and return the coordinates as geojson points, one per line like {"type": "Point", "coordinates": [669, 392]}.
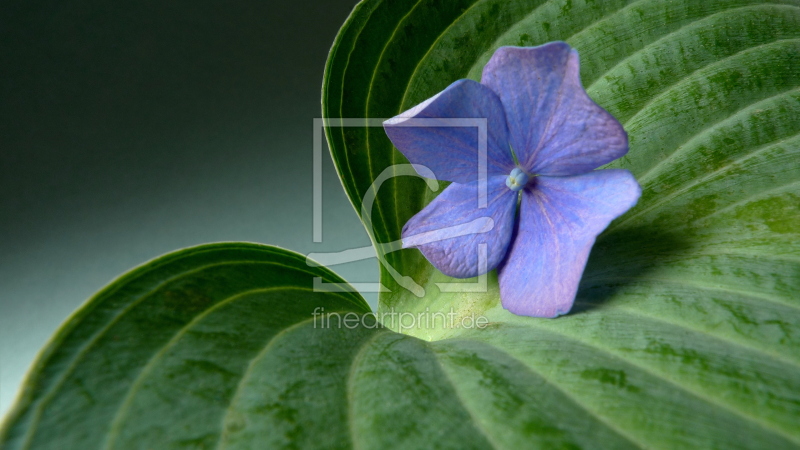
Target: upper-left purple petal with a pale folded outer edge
{"type": "Point", "coordinates": [452, 152]}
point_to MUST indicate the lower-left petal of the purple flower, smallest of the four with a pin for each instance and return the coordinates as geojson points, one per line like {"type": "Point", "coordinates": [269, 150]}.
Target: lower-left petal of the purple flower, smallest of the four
{"type": "Point", "coordinates": [450, 230]}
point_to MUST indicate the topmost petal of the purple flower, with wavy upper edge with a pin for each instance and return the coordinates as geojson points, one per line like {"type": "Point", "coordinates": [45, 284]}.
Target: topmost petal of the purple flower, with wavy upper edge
{"type": "Point", "coordinates": [555, 128]}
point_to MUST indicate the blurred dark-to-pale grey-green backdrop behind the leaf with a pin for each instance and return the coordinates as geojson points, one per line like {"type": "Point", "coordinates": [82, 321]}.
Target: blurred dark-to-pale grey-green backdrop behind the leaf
{"type": "Point", "coordinates": [131, 130]}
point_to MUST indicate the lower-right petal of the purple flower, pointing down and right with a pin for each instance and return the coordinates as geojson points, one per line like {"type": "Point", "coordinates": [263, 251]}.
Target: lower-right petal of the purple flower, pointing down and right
{"type": "Point", "coordinates": [559, 220]}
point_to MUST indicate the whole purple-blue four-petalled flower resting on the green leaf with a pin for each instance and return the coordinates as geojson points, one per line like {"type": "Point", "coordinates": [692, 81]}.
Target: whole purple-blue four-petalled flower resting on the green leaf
{"type": "Point", "coordinates": [545, 137]}
